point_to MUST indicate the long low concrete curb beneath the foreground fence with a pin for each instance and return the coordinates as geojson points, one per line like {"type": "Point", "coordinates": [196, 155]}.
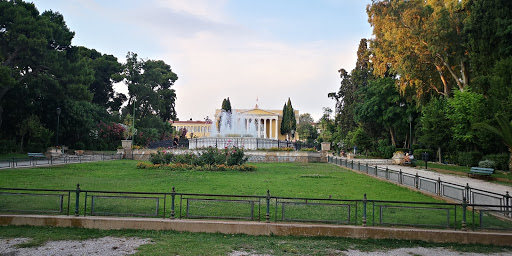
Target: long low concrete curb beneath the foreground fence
{"type": "Point", "coordinates": [262, 228]}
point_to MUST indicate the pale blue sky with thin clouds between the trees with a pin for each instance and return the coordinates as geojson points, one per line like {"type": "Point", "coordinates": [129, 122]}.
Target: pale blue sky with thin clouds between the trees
{"type": "Point", "coordinates": [242, 49]}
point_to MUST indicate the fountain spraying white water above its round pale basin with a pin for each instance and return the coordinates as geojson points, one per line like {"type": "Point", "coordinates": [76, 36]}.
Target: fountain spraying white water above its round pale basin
{"type": "Point", "coordinates": [235, 130]}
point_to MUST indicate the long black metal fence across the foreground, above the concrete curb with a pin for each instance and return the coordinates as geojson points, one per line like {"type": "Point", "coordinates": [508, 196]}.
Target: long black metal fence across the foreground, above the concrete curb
{"type": "Point", "coordinates": [255, 208]}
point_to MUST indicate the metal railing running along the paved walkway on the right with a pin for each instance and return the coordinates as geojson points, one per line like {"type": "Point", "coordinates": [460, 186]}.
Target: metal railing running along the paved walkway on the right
{"type": "Point", "coordinates": [440, 188]}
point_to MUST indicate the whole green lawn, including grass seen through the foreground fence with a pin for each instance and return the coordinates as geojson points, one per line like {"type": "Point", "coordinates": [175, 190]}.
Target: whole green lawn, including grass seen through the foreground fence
{"type": "Point", "coordinates": [308, 180]}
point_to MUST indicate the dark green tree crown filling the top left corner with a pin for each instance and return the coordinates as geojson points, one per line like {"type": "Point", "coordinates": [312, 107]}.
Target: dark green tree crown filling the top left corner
{"type": "Point", "coordinates": [29, 44]}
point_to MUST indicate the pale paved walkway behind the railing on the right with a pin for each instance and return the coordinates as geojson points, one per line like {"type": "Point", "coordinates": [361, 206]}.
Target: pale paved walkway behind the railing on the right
{"type": "Point", "coordinates": [456, 179]}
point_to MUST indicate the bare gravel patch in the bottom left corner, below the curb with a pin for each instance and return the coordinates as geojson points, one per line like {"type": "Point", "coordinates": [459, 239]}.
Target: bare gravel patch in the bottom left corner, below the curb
{"type": "Point", "coordinates": [105, 246]}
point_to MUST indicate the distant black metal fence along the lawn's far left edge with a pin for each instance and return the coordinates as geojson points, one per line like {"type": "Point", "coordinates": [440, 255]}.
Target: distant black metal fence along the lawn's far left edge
{"type": "Point", "coordinates": [64, 159]}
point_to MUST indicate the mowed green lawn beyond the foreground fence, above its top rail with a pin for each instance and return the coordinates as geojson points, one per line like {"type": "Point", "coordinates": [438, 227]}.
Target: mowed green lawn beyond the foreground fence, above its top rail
{"type": "Point", "coordinates": [310, 180]}
